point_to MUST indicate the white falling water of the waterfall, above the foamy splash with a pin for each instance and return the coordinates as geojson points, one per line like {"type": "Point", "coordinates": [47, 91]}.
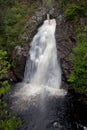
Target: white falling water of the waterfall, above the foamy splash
{"type": "Point", "coordinates": [42, 68]}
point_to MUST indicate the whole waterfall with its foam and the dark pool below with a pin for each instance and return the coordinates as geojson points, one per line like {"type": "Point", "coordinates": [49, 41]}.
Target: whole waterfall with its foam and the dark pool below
{"type": "Point", "coordinates": [39, 100]}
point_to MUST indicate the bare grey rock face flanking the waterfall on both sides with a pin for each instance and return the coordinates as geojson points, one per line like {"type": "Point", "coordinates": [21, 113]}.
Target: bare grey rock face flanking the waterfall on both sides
{"type": "Point", "coordinates": [64, 39]}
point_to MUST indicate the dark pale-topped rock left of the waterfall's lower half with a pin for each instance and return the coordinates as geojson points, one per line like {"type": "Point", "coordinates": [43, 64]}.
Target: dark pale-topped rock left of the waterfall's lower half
{"type": "Point", "coordinates": [19, 60]}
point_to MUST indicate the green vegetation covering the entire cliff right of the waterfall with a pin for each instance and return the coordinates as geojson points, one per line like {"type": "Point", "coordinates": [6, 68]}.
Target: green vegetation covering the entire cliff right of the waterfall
{"type": "Point", "coordinates": [75, 13]}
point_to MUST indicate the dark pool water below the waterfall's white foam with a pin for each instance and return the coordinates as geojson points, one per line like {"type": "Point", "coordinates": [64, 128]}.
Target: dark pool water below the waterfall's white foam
{"type": "Point", "coordinates": [57, 114]}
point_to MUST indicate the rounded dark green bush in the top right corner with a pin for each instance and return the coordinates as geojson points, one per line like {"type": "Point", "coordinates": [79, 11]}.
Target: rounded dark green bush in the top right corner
{"type": "Point", "coordinates": [73, 11]}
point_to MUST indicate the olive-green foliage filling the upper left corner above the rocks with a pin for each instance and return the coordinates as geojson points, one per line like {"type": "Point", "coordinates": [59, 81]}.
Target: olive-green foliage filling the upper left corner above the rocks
{"type": "Point", "coordinates": [13, 16]}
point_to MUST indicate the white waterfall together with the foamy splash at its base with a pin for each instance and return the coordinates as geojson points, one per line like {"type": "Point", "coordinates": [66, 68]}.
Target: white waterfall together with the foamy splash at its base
{"type": "Point", "coordinates": [42, 72]}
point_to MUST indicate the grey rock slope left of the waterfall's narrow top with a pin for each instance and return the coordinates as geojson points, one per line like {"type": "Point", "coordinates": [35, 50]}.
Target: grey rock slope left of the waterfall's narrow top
{"type": "Point", "coordinates": [31, 25]}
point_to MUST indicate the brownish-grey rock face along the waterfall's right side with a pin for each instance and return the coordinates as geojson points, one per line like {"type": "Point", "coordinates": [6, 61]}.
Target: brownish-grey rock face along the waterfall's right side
{"type": "Point", "coordinates": [65, 42]}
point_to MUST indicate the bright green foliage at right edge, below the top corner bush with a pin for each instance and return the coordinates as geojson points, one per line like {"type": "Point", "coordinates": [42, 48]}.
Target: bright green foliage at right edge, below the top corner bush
{"type": "Point", "coordinates": [78, 77]}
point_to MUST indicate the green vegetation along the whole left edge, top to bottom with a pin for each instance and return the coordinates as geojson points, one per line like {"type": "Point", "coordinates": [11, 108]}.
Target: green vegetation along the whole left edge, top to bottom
{"type": "Point", "coordinates": [13, 16]}
